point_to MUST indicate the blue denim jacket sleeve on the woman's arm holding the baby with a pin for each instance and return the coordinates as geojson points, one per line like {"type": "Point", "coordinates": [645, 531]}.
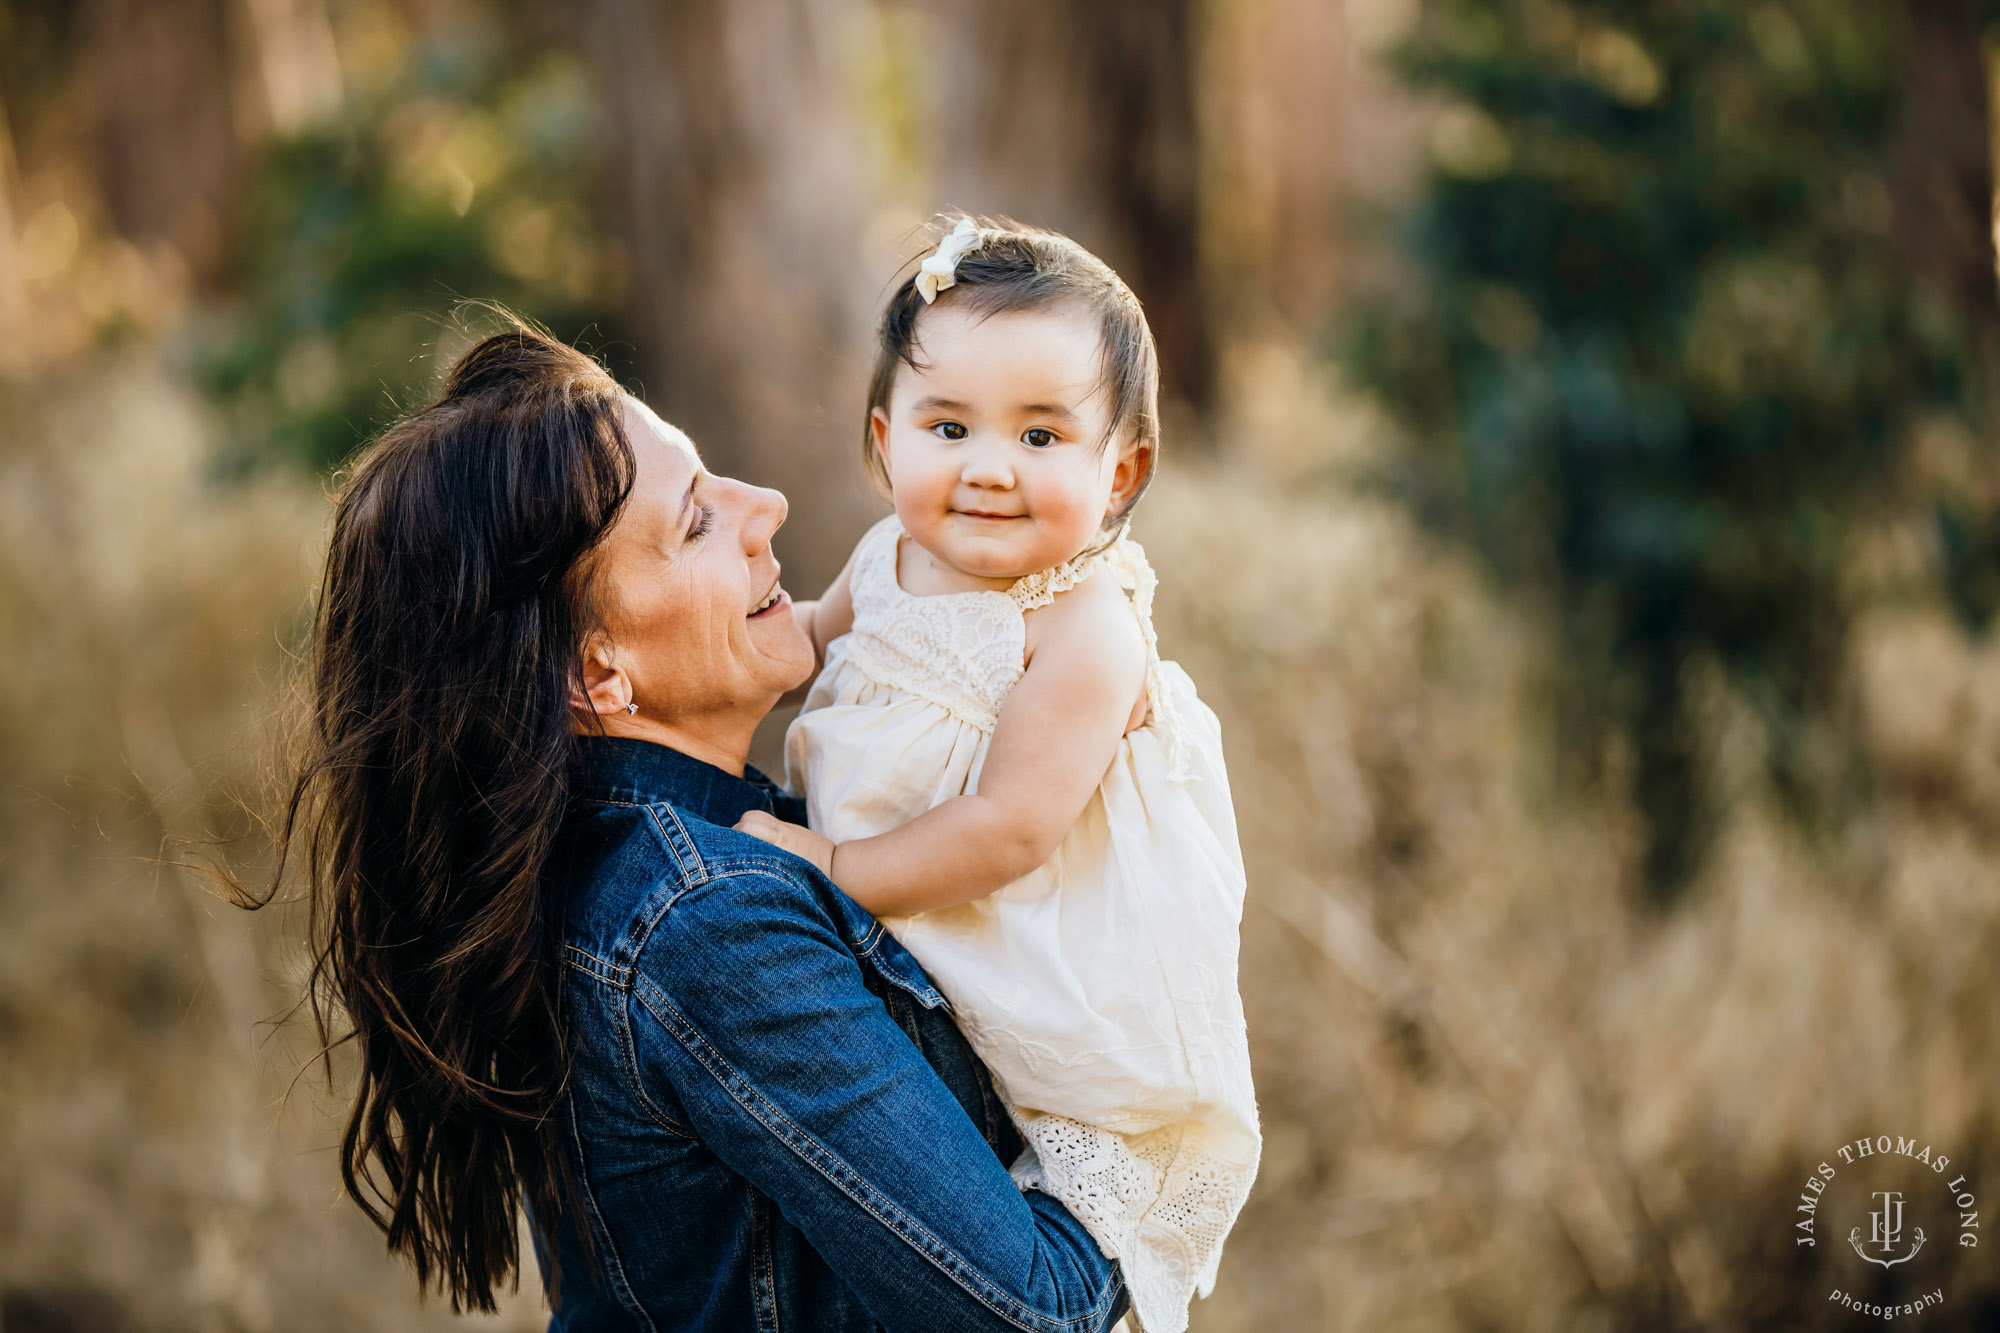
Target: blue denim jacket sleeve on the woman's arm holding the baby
{"type": "Point", "coordinates": [753, 1014]}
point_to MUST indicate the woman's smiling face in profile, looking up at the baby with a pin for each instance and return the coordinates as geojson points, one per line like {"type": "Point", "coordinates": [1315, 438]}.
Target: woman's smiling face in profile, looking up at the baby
{"type": "Point", "coordinates": [701, 631]}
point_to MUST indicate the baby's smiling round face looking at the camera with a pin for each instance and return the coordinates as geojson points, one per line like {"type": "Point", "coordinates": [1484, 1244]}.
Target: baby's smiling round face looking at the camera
{"type": "Point", "coordinates": [993, 449]}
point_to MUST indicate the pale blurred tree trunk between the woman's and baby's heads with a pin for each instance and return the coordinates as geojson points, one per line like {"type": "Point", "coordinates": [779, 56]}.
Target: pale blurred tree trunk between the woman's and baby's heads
{"type": "Point", "coordinates": [729, 145]}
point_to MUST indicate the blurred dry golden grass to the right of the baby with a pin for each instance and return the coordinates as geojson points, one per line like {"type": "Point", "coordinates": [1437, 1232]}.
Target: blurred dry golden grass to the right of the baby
{"type": "Point", "coordinates": [1497, 1092]}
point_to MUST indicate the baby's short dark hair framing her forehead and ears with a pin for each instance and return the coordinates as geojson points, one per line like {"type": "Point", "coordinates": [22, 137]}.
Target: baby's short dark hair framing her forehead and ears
{"type": "Point", "coordinates": [1031, 269]}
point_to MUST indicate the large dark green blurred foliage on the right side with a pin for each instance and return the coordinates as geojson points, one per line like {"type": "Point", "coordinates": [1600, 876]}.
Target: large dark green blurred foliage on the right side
{"type": "Point", "coordinates": [1661, 345]}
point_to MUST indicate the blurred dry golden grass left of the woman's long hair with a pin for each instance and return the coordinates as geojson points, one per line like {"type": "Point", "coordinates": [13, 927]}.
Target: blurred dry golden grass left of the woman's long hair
{"type": "Point", "coordinates": [153, 1176]}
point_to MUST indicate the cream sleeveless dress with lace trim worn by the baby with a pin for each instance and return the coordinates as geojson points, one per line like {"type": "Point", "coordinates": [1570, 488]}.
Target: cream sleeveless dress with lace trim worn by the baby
{"type": "Point", "coordinates": [1101, 990]}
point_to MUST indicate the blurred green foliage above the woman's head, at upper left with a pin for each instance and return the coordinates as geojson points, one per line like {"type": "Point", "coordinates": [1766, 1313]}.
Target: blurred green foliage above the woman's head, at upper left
{"type": "Point", "coordinates": [461, 173]}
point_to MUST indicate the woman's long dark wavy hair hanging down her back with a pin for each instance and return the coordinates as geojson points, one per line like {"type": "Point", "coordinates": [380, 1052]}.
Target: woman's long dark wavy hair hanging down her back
{"type": "Point", "coordinates": [437, 768]}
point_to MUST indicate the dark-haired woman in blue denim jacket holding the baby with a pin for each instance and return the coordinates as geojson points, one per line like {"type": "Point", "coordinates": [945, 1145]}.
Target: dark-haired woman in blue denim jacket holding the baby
{"type": "Point", "coordinates": [725, 1096]}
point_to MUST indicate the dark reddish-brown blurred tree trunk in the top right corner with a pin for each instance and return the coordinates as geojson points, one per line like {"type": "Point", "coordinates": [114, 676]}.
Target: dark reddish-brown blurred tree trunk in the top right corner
{"type": "Point", "coordinates": [1941, 167]}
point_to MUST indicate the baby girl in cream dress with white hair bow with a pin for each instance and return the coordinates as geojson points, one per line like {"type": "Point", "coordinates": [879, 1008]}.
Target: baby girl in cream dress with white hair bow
{"type": "Point", "coordinates": [1001, 768]}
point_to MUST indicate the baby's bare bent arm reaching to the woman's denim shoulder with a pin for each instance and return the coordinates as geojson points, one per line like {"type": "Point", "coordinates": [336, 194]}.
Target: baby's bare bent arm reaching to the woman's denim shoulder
{"type": "Point", "coordinates": [1053, 744]}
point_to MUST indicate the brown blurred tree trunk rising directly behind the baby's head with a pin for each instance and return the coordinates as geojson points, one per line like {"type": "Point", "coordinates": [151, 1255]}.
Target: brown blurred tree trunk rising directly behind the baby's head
{"type": "Point", "coordinates": [1083, 117]}
